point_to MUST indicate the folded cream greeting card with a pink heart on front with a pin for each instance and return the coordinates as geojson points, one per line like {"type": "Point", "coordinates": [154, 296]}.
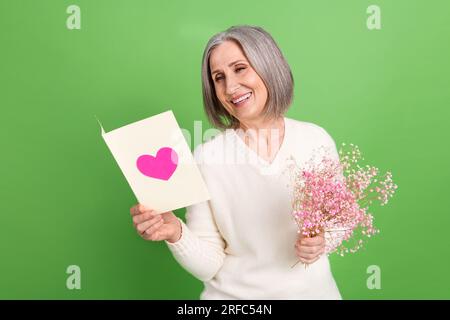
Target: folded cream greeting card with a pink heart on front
{"type": "Point", "coordinates": [157, 163]}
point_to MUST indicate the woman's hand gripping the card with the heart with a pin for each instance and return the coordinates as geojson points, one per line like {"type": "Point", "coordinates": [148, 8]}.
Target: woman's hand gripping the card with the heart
{"type": "Point", "coordinates": [155, 227]}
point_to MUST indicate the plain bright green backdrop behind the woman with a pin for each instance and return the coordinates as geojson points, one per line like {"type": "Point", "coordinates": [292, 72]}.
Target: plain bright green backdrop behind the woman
{"type": "Point", "coordinates": [64, 200]}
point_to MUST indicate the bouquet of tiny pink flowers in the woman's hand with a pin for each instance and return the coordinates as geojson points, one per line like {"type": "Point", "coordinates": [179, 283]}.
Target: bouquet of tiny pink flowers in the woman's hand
{"type": "Point", "coordinates": [333, 196]}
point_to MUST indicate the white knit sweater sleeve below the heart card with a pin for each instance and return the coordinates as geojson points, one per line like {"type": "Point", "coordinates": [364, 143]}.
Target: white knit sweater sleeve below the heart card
{"type": "Point", "coordinates": [200, 249]}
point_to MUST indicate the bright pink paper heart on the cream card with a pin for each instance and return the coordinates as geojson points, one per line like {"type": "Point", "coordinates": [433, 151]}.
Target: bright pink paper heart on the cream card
{"type": "Point", "coordinates": [160, 167]}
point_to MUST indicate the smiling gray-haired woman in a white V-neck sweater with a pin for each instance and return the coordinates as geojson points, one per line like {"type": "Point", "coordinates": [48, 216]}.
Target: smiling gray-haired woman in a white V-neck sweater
{"type": "Point", "coordinates": [243, 241]}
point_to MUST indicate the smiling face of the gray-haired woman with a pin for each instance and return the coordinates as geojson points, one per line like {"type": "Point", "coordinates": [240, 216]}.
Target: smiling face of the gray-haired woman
{"type": "Point", "coordinates": [234, 78]}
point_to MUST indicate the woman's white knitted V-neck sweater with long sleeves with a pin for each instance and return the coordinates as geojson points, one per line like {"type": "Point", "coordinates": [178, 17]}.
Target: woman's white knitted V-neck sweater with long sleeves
{"type": "Point", "coordinates": [240, 243]}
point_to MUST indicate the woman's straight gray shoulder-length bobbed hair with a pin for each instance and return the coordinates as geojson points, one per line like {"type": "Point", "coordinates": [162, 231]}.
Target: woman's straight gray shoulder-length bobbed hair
{"type": "Point", "coordinates": [265, 57]}
